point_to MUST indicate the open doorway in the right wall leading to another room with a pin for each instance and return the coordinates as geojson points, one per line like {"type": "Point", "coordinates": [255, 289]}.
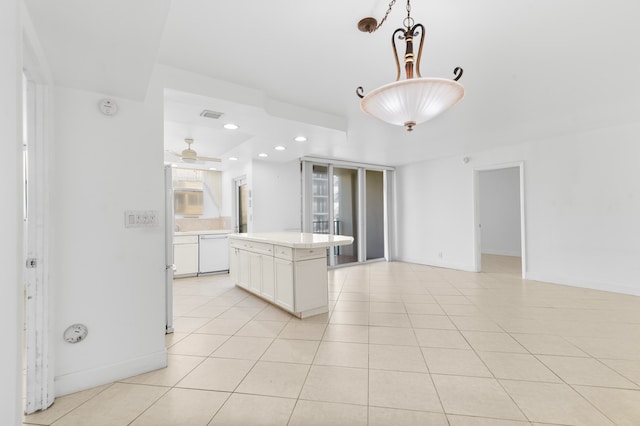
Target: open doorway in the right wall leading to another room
{"type": "Point", "coordinates": [499, 219]}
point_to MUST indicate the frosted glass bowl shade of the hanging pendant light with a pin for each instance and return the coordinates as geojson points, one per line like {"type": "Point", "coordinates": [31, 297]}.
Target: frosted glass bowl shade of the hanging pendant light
{"type": "Point", "coordinates": [412, 101]}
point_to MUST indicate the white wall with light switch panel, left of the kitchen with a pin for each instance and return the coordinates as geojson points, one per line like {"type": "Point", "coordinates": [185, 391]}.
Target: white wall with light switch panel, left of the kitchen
{"type": "Point", "coordinates": [107, 277]}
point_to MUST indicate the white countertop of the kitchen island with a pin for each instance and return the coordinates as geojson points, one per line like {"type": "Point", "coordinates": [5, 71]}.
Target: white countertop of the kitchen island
{"type": "Point", "coordinates": [296, 239]}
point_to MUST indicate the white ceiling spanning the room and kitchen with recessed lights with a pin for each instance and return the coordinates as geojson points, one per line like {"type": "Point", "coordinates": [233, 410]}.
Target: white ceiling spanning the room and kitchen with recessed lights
{"type": "Point", "coordinates": [533, 69]}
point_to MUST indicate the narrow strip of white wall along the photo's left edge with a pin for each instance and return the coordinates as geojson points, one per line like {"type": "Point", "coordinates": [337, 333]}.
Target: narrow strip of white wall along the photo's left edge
{"type": "Point", "coordinates": [11, 215]}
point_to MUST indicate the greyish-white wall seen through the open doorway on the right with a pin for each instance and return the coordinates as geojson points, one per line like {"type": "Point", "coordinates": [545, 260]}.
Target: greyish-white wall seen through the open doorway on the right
{"type": "Point", "coordinates": [499, 205]}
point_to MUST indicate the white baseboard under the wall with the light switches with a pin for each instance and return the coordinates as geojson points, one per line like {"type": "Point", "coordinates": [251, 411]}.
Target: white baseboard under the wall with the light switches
{"type": "Point", "coordinates": [81, 380]}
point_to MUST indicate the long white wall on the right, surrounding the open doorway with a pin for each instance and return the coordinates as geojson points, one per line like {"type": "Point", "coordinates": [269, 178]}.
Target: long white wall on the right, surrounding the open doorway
{"type": "Point", "coordinates": [581, 209]}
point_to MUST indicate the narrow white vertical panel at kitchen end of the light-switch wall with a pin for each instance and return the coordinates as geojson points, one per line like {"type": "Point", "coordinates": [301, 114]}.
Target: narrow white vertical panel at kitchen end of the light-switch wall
{"type": "Point", "coordinates": [168, 250]}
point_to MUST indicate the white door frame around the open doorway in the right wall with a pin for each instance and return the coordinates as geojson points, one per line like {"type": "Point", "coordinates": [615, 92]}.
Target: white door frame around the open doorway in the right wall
{"type": "Point", "coordinates": [476, 213]}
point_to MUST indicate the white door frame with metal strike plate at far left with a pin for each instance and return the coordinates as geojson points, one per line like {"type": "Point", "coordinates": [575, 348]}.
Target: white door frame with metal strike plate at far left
{"type": "Point", "coordinates": [39, 383]}
